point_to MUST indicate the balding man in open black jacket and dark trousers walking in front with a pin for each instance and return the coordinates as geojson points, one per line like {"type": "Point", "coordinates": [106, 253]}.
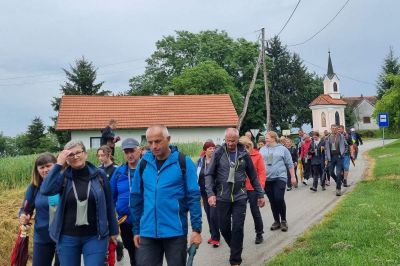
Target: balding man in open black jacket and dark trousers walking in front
{"type": "Point", "coordinates": [229, 167]}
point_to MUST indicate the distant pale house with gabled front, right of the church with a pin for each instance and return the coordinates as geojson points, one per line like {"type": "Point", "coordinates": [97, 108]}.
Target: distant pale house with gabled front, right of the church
{"type": "Point", "coordinates": [363, 108]}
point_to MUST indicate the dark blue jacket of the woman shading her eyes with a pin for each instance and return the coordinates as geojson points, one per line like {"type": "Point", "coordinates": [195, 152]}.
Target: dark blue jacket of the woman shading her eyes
{"type": "Point", "coordinates": [54, 183]}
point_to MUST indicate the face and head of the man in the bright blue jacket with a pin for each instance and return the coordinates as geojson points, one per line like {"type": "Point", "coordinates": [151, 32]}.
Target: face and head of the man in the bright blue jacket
{"type": "Point", "coordinates": [159, 144]}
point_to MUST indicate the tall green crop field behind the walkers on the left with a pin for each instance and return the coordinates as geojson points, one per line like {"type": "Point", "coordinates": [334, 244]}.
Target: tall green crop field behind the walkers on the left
{"type": "Point", "coordinates": [15, 172]}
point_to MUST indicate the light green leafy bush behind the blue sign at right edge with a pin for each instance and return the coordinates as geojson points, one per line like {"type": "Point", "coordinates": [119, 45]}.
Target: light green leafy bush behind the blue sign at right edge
{"type": "Point", "coordinates": [389, 103]}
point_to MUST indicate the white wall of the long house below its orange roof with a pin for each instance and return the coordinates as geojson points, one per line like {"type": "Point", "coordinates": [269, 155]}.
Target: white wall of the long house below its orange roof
{"type": "Point", "coordinates": [178, 135]}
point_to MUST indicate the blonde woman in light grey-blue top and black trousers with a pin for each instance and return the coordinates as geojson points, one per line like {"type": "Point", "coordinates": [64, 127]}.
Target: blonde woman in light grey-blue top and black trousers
{"type": "Point", "coordinates": [277, 161]}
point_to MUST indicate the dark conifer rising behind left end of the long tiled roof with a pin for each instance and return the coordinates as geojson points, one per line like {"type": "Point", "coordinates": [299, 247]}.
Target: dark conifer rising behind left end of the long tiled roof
{"type": "Point", "coordinates": [80, 81]}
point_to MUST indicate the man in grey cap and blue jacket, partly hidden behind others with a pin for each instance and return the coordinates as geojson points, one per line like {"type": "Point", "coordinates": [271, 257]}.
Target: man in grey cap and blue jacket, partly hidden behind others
{"type": "Point", "coordinates": [120, 186]}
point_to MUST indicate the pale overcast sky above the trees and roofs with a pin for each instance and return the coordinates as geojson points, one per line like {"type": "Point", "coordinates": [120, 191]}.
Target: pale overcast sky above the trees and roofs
{"type": "Point", "coordinates": [39, 38]}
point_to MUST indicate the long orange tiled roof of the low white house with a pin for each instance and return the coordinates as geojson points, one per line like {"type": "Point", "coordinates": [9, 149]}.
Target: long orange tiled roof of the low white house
{"type": "Point", "coordinates": [94, 112]}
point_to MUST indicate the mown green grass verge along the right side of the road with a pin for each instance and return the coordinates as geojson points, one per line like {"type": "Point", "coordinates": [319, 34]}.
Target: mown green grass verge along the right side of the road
{"type": "Point", "coordinates": [365, 227]}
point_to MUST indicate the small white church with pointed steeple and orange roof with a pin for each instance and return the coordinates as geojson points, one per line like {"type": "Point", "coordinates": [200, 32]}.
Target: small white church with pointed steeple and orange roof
{"type": "Point", "coordinates": [328, 108]}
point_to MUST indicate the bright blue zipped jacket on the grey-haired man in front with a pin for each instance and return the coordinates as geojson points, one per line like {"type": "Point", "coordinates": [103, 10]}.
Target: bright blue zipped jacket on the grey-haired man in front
{"type": "Point", "coordinates": [161, 199]}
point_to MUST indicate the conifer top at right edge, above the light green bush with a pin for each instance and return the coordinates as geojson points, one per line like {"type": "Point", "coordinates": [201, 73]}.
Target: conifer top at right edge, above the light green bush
{"type": "Point", "coordinates": [391, 65]}
